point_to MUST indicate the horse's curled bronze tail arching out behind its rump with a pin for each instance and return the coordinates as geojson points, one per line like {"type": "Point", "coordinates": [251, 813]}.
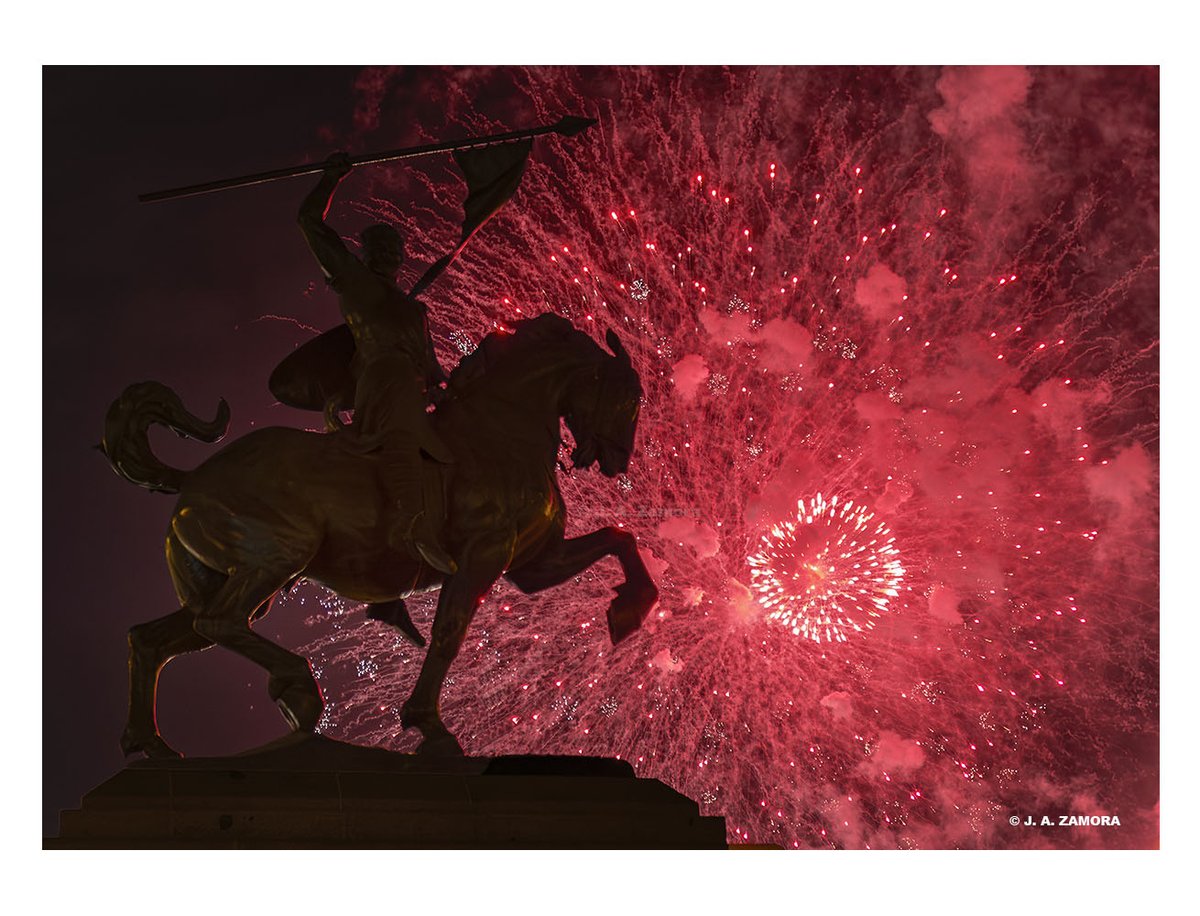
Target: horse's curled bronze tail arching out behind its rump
{"type": "Point", "coordinates": [127, 434]}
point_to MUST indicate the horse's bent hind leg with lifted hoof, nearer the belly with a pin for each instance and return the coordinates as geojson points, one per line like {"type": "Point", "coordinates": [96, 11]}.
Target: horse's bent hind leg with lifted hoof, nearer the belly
{"type": "Point", "coordinates": [225, 620]}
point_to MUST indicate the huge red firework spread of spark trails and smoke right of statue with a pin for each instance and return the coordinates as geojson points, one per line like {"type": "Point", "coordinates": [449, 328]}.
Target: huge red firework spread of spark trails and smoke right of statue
{"type": "Point", "coordinates": [933, 294]}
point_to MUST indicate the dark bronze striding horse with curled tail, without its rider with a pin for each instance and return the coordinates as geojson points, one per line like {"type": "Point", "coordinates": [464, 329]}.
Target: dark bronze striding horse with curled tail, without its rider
{"type": "Point", "coordinates": [280, 505]}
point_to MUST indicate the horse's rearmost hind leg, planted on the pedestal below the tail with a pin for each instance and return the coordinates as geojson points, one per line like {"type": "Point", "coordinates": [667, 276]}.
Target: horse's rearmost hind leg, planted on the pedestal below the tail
{"type": "Point", "coordinates": [152, 646]}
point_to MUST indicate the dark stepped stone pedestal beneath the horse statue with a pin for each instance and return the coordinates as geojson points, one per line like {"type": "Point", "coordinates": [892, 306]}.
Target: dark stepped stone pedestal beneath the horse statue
{"type": "Point", "coordinates": [307, 792]}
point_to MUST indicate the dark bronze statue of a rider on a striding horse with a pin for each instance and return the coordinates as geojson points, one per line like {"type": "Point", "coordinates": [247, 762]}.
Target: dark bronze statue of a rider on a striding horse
{"type": "Point", "coordinates": [401, 501]}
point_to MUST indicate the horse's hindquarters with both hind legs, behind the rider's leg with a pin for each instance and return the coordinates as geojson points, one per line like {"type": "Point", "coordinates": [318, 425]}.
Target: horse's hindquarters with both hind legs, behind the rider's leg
{"type": "Point", "coordinates": [271, 507]}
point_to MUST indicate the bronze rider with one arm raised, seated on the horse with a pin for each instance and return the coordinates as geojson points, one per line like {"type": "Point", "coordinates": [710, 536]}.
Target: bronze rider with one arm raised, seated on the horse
{"type": "Point", "coordinates": [394, 364]}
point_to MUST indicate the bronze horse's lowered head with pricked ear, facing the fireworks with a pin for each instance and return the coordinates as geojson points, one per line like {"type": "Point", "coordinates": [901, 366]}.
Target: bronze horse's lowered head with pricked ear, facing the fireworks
{"type": "Point", "coordinates": [604, 415]}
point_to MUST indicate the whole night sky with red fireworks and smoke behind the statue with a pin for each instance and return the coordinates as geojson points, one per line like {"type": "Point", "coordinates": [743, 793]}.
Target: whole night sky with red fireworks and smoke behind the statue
{"type": "Point", "coordinates": [890, 286]}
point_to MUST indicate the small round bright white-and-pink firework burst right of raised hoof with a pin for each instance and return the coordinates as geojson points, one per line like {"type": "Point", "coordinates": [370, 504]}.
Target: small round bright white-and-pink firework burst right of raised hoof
{"type": "Point", "coordinates": [835, 570]}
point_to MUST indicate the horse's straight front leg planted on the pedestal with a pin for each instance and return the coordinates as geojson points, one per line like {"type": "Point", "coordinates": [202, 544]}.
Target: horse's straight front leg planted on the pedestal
{"type": "Point", "coordinates": [482, 564]}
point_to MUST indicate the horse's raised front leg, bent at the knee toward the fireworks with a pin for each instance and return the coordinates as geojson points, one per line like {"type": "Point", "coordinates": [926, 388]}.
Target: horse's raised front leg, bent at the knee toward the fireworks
{"type": "Point", "coordinates": [635, 597]}
